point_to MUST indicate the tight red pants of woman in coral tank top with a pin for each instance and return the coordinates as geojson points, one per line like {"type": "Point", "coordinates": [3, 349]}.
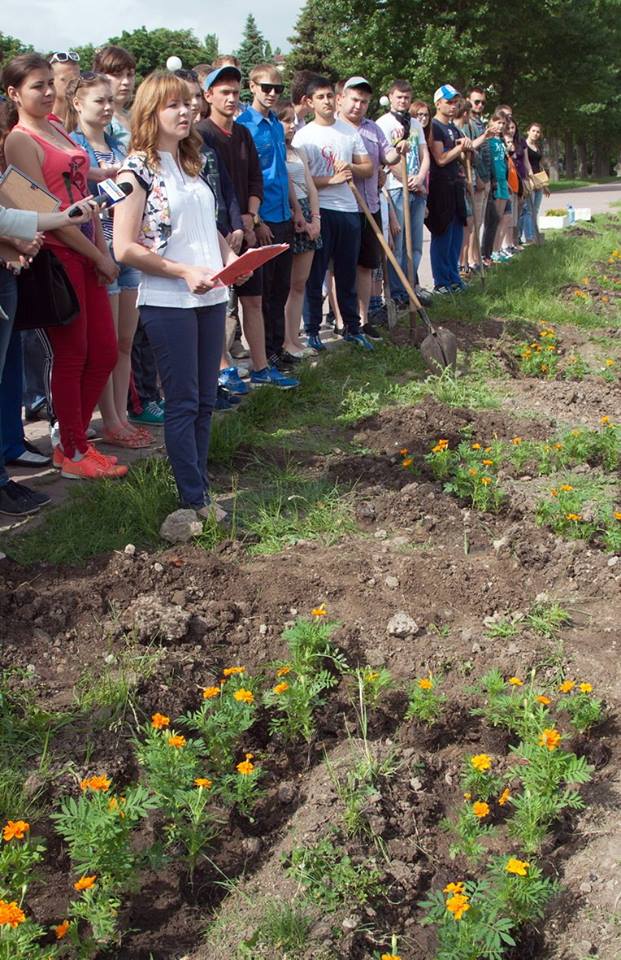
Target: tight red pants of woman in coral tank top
{"type": "Point", "coordinates": [85, 352]}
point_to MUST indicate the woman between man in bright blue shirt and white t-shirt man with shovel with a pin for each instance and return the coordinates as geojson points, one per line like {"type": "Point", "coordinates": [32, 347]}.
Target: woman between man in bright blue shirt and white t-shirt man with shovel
{"type": "Point", "coordinates": [307, 237]}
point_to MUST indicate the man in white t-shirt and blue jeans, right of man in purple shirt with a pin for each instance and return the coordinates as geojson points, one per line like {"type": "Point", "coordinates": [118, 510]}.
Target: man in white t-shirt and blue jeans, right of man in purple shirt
{"type": "Point", "coordinates": [398, 126]}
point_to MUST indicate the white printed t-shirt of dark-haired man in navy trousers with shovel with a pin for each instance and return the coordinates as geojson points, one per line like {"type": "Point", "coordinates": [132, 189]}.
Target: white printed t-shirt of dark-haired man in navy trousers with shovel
{"type": "Point", "coordinates": [324, 145]}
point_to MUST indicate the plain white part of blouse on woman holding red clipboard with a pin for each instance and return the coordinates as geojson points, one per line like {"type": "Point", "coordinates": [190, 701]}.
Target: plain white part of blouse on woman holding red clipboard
{"type": "Point", "coordinates": [194, 241]}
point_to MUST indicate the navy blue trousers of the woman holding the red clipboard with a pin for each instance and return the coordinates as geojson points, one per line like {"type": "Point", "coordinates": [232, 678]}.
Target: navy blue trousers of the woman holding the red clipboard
{"type": "Point", "coordinates": [187, 344]}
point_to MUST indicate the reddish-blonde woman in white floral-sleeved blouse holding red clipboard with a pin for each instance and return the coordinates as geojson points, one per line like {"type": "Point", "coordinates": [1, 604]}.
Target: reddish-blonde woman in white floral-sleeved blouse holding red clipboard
{"type": "Point", "coordinates": [166, 228]}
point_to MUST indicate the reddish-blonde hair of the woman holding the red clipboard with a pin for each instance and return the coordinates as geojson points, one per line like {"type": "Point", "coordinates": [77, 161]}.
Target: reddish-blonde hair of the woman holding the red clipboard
{"type": "Point", "coordinates": [152, 95]}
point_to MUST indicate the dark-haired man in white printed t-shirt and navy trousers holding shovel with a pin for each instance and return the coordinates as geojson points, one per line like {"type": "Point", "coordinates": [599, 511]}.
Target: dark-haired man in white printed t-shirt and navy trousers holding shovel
{"type": "Point", "coordinates": [335, 152]}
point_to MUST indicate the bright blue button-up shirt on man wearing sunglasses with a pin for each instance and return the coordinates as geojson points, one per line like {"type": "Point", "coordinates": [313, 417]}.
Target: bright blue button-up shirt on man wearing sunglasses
{"type": "Point", "coordinates": [269, 139]}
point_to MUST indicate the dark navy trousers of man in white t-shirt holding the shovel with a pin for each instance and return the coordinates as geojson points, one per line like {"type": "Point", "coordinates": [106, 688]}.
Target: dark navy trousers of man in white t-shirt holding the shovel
{"type": "Point", "coordinates": [340, 234]}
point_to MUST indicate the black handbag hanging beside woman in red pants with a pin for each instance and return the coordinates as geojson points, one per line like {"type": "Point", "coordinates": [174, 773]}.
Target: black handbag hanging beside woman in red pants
{"type": "Point", "coordinates": [45, 296]}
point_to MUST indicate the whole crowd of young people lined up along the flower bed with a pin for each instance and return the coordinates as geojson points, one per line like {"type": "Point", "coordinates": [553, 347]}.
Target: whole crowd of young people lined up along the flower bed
{"type": "Point", "coordinates": [156, 339]}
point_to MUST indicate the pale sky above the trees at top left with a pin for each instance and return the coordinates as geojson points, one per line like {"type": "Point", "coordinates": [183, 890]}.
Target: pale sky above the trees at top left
{"type": "Point", "coordinates": [61, 24]}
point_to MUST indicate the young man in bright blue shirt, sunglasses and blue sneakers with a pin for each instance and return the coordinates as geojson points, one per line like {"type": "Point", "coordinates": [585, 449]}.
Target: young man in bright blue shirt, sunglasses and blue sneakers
{"type": "Point", "coordinates": [274, 223]}
